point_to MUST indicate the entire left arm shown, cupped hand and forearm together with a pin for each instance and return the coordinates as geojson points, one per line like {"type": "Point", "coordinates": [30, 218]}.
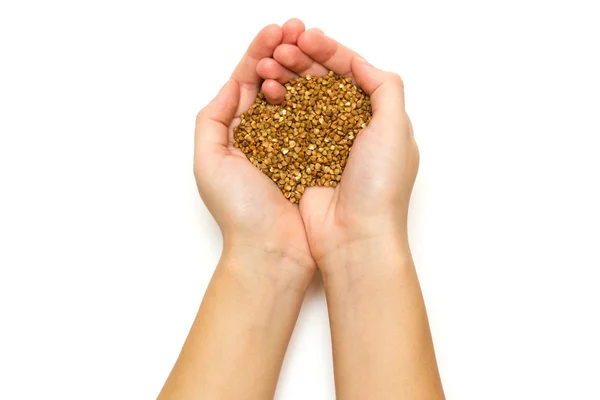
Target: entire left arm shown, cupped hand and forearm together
{"type": "Point", "coordinates": [237, 343]}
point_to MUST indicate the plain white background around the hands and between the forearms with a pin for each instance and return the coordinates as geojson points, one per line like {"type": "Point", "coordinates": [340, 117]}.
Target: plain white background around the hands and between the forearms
{"type": "Point", "coordinates": [106, 248]}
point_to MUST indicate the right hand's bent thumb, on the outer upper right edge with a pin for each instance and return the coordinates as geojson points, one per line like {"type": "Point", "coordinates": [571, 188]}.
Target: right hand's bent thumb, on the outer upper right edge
{"type": "Point", "coordinates": [386, 89]}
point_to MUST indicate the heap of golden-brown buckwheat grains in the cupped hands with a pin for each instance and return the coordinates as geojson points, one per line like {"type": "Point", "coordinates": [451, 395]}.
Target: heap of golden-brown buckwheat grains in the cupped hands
{"type": "Point", "coordinates": [306, 140]}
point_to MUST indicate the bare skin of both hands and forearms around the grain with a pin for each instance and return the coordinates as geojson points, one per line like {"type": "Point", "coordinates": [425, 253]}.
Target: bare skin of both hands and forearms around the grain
{"type": "Point", "coordinates": [356, 234]}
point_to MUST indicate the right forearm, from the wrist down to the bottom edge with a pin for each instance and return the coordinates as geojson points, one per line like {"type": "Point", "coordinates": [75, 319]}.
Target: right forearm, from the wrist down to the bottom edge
{"type": "Point", "coordinates": [381, 339]}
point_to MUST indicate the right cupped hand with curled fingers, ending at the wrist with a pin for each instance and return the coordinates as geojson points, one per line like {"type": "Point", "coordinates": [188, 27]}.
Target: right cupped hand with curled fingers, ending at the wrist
{"type": "Point", "coordinates": [369, 208]}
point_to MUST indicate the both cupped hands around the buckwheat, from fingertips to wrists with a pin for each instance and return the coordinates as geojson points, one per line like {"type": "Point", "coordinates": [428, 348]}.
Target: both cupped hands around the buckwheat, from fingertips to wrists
{"type": "Point", "coordinates": [370, 205]}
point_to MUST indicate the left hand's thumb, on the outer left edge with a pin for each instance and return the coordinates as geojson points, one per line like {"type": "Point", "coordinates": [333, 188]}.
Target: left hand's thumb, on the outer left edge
{"type": "Point", "coordinates": [213, 121]}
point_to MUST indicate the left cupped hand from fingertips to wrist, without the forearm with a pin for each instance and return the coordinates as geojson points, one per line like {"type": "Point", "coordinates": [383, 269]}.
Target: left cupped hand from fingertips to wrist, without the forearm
{"type": "Point", "coordinates": [251, 211]}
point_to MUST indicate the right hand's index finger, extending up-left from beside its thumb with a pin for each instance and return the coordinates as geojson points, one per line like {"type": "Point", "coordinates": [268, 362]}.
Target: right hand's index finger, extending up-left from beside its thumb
{"type": "Point", "coordinates": [326, 51]}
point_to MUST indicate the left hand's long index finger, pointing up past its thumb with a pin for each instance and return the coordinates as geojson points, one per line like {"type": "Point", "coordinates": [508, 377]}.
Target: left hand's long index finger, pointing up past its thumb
{"type": "Point", "coordinates": [245, 74]}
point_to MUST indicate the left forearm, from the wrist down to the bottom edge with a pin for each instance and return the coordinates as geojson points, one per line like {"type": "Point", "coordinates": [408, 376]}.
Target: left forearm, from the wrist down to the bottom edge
{"type": "Point", "coordinates": [238, 340]}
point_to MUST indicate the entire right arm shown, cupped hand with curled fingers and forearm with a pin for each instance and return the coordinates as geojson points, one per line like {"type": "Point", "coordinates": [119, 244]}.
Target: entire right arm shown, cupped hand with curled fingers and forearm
{"type": "Point", "coordinates": [357, 232]}
